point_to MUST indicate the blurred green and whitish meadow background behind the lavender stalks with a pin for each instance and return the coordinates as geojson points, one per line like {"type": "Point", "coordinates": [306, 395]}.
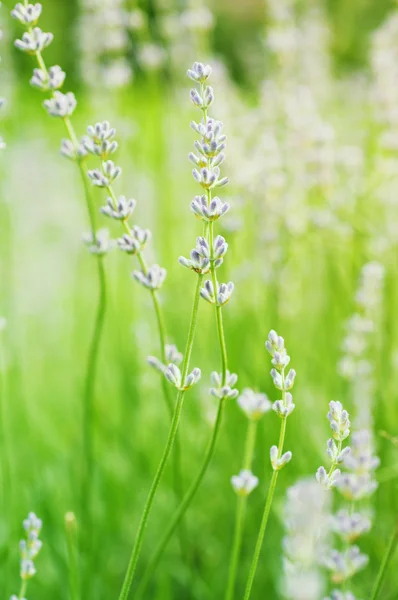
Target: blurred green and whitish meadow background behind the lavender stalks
{"type": "Point", "coordinates": [295, 258]}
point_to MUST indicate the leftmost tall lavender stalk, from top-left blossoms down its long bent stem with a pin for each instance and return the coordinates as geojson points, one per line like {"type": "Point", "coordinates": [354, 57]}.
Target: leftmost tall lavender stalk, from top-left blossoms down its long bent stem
{"type": "Point", "coordinates": [60, 105]}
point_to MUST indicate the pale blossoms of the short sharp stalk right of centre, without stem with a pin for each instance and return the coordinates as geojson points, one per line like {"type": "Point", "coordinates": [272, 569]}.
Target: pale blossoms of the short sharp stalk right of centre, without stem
{"type": "Point", "coordinates": [283, 382]}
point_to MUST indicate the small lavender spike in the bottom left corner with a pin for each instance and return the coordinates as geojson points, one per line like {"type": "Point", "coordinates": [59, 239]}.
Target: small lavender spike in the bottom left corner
{"type": "Point", "coordinates": [29, 548]}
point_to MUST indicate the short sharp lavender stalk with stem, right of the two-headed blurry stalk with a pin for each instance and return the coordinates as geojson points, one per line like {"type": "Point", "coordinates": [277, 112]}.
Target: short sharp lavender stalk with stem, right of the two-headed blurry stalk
{"type": "Point", "coordinates": [283, 408]}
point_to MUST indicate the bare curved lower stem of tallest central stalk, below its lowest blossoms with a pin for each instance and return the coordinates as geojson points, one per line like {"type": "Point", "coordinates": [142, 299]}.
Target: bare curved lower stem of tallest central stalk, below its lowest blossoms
{"type": "Point", "coordinates": [189, 496]}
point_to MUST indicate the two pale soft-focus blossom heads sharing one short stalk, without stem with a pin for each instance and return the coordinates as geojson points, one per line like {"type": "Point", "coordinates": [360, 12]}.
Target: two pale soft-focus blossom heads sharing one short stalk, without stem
{"type": "Point", "coordinates": [254, 405]}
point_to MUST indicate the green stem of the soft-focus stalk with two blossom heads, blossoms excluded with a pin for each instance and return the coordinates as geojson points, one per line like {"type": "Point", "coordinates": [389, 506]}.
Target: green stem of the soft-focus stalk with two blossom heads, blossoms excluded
{"type": "Point", "coordinates": [240, 512]}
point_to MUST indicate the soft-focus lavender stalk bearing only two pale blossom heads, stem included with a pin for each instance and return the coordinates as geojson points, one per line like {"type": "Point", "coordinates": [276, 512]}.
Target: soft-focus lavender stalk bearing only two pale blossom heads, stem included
{"type": "Point", "coordinates": [254, 405]}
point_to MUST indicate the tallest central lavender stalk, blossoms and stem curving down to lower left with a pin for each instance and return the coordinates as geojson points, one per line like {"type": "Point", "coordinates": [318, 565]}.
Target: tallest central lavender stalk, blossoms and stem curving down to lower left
{"type": "Point", "coordinates": [207, 257]}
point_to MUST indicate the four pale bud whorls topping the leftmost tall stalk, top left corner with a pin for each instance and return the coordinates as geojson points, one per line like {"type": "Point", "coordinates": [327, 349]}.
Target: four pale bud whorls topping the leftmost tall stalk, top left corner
{"type": "Point", "coordinates": [33, 42]}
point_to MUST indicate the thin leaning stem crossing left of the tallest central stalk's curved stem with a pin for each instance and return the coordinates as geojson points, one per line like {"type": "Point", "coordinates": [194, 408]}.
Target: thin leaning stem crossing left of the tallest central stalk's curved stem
{"type": "Point", "coordinates": [169, 445]}
